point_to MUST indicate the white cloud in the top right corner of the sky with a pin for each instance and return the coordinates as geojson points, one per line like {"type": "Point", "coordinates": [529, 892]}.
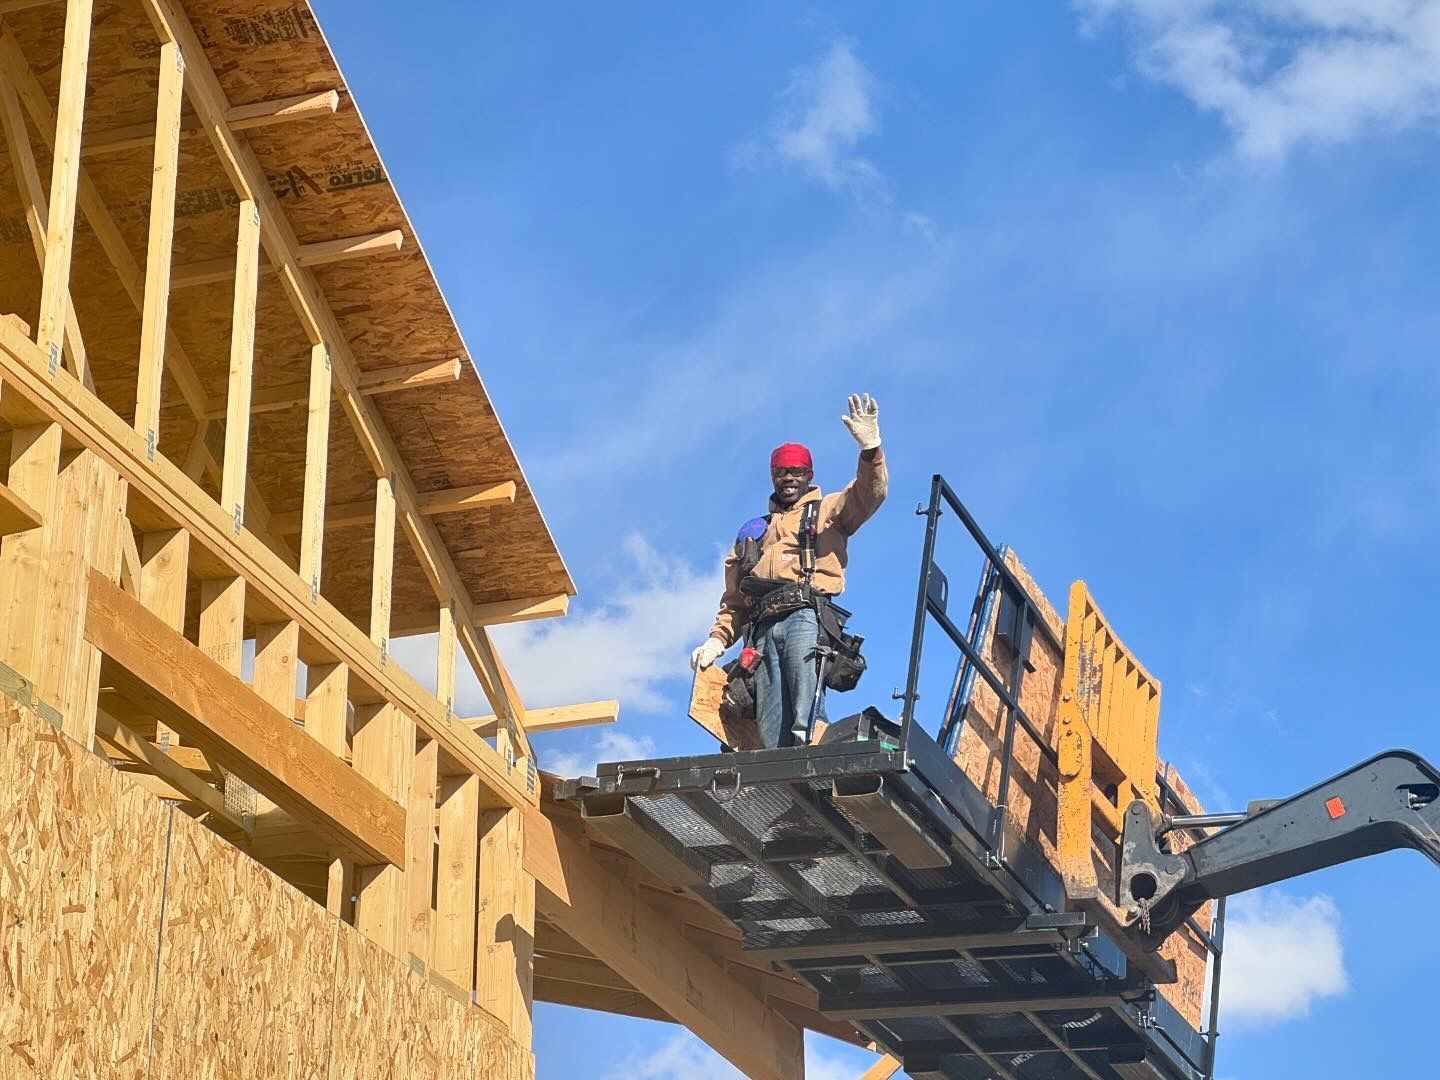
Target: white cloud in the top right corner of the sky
{"type": "Point", "coordinates": [1288, 73]}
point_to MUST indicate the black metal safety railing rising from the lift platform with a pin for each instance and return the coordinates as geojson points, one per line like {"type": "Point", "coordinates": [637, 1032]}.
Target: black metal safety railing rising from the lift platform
{"type": "Point", "coordinates": [932, 603]}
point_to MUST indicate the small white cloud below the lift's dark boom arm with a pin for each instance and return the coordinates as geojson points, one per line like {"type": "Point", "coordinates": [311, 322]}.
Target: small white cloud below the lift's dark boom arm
{"type": "Point", "coordinates": [1282, 954]}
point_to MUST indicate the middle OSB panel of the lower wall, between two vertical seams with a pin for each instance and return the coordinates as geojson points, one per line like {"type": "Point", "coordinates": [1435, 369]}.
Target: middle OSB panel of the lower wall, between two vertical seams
{"type": "Point", "coordinates": [246, 970]}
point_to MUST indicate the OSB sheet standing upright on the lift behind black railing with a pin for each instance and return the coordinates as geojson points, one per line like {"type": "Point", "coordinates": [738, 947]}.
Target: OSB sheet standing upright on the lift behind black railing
{"type": "Point", "coordinates": [1033, 791]}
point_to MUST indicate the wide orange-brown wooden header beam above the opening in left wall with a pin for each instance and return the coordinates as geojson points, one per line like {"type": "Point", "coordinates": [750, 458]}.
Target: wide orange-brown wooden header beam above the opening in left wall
{"type": "Point", "coordinates": [159, 670]}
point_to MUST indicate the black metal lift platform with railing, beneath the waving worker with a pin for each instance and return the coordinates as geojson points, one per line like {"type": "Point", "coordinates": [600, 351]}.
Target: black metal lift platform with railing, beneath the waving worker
{"type": "Point", "coordinates": [873, 869]}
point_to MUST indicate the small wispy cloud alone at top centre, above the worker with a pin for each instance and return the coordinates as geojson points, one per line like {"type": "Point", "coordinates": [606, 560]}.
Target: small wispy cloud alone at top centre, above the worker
{"type": "Point", "coordinates": [826, 112]}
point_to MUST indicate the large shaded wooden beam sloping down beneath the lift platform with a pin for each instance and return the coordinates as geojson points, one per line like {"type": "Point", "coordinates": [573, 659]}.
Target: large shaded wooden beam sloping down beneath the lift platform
{"type": "Point", "coordinates": [604, 914]}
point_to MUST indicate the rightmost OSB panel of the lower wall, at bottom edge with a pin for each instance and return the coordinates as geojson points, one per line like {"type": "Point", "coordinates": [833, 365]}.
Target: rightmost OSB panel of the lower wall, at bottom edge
{"type": "Point", "coordinates": [436, 1036]}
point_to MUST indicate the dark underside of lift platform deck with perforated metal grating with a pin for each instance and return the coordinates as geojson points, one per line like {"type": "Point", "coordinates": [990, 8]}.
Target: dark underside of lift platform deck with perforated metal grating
{"type": "Point", "coordinates": [790, 865]}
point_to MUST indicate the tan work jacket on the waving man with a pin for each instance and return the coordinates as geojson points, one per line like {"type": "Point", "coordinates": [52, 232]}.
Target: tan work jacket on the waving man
{"type": "Point", "coordinates": [840, 516]}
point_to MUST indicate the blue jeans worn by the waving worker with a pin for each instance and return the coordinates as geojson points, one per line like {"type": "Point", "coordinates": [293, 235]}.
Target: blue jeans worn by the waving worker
{"type": "Point", "coordinates": [787, 679]}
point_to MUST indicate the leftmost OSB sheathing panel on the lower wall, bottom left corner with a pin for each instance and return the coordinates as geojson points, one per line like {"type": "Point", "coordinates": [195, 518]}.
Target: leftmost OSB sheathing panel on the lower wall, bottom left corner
{"type": "Point", "coordinates": [81, 860]}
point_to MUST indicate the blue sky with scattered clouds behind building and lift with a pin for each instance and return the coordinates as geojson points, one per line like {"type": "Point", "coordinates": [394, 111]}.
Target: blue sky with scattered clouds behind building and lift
{"type": "Point", "coordinates": [1151, 282]}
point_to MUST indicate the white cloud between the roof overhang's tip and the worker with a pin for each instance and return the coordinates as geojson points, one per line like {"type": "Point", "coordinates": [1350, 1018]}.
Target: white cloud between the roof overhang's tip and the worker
{"type": "Point", "coordinates": [626, 649]}
